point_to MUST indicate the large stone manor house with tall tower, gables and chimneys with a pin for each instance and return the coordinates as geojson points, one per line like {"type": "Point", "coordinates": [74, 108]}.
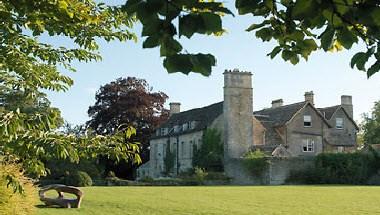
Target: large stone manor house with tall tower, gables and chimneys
{"type": "Point", "coordinates": [292, 130]}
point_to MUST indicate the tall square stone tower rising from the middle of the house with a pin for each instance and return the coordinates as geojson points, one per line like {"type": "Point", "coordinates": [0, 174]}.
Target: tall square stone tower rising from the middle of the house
{"type": "Point", "coordinates": [238, 112]}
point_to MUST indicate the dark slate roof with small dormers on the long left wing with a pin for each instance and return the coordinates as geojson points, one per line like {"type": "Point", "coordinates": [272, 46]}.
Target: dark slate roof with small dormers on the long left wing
{"type": "Point", "coordinates": [202, 116]}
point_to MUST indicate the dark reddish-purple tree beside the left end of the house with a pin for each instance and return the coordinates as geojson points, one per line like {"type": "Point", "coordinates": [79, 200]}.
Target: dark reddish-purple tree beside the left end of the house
{"type": "Point", "coordinates": [128, 102]}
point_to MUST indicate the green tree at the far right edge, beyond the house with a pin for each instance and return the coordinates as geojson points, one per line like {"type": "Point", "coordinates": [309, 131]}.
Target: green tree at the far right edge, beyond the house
{"type": "Point", "coordinates": [371, 125]}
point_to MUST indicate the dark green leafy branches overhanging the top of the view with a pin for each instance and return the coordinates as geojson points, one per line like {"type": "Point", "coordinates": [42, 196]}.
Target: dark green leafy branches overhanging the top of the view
{"type": "Point", "coordinates": [299, 27]}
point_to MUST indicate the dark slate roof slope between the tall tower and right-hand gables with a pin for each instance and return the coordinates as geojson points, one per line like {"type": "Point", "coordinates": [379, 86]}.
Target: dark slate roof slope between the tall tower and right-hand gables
{"type": "Point", "coordinates": [280, 115]}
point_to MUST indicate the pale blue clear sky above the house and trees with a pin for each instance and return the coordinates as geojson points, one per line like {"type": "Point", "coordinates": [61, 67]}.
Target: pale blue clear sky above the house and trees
{"type": "Point", "coordinates": [328, 75]}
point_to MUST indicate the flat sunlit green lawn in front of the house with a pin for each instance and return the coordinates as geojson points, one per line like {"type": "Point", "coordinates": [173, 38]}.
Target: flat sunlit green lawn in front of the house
{"type": "Point", "coordinates": [227, 200]}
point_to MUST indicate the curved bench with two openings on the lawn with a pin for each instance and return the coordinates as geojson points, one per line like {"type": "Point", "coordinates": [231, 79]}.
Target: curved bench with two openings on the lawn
{"type": "Point", "coordinates": [60, 200]}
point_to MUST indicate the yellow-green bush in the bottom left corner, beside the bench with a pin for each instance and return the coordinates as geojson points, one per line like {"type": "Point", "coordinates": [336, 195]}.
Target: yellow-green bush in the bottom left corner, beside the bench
{"type": "Point", "coordinates": [16, 203]}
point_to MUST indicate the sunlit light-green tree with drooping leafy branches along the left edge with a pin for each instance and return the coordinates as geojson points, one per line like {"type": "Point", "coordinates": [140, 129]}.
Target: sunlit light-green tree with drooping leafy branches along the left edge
{"type": "Point", "coordinates": [28, 130]}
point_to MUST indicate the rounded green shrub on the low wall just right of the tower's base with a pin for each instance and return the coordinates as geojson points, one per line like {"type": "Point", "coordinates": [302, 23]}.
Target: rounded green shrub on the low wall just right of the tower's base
{"type": "Point", "coordinates": [255, 163]}
